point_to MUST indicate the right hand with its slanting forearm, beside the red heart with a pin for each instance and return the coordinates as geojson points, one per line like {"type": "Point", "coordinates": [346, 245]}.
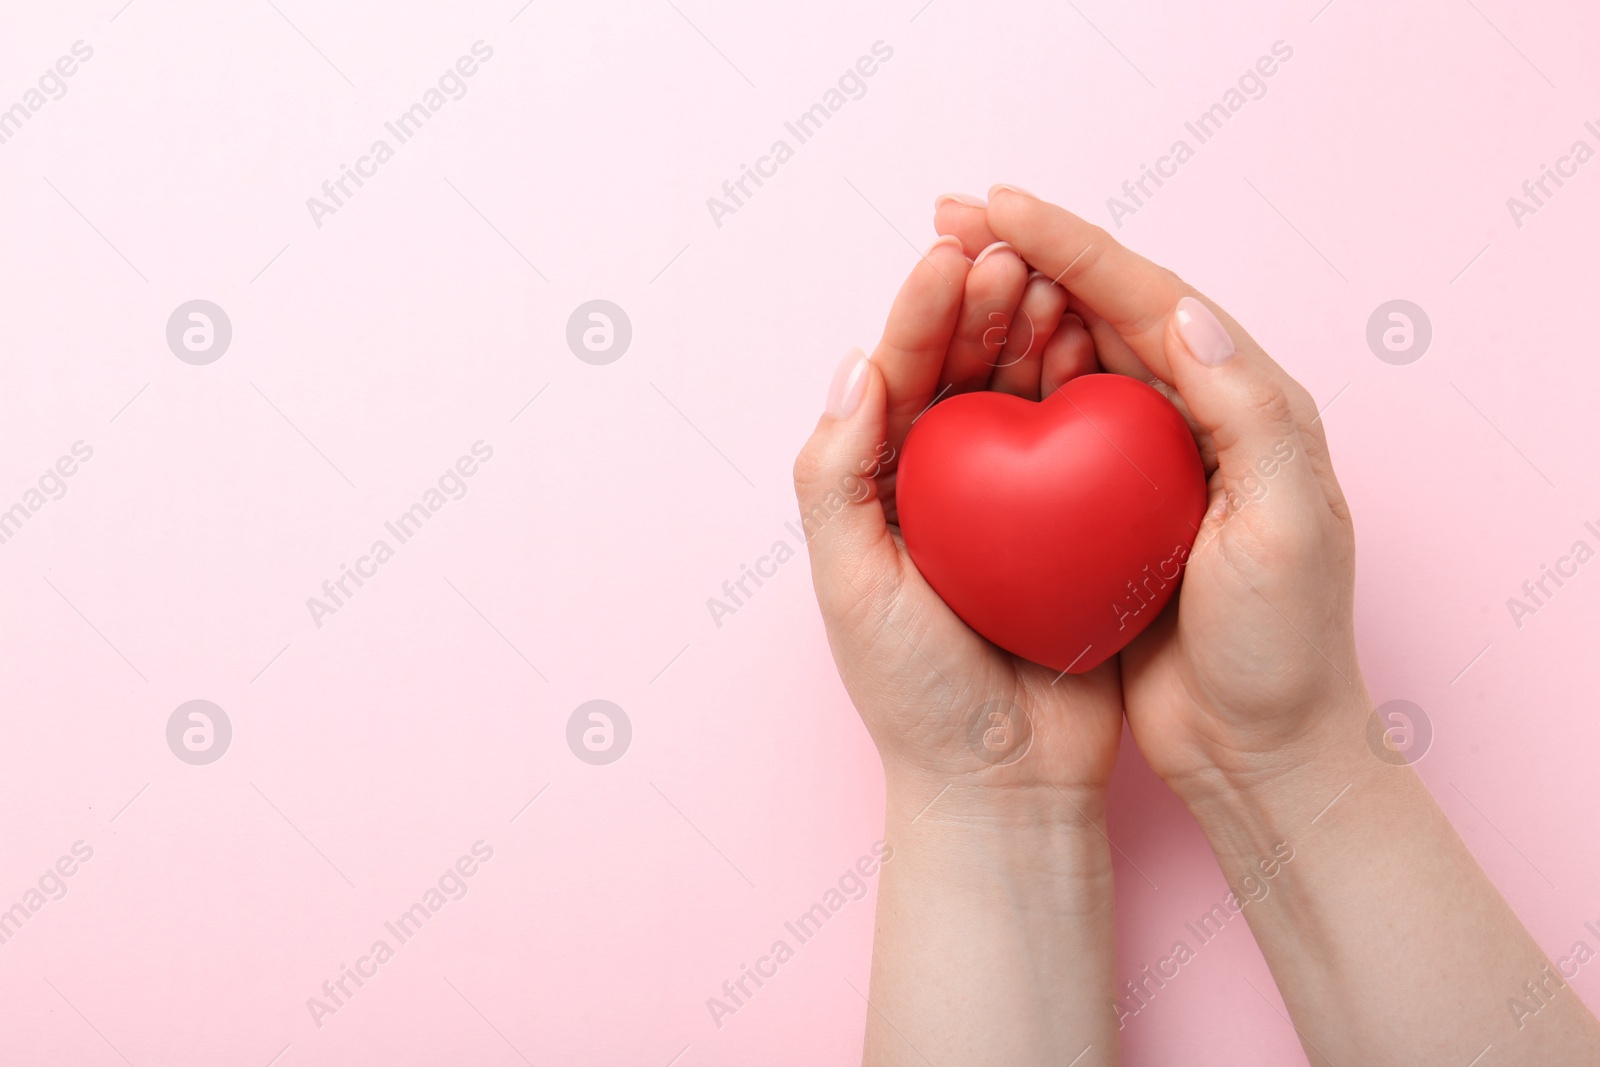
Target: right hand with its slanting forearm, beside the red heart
{"type": "Point", "coordinates": [1386, 940]}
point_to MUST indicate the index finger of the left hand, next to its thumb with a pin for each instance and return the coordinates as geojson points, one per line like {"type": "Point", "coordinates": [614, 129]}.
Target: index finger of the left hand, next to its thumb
{"type": "Point", "coordinates": [918, 335]}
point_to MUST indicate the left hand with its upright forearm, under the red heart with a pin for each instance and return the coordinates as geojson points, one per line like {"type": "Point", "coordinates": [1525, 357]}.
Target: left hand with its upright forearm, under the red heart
{"type": "Point", "coordinates": [994, 929]}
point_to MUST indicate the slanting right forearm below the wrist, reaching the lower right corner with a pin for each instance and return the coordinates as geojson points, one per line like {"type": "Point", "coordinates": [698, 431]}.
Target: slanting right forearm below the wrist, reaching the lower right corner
{"type": "Point", "coordinates": [1386, 938]}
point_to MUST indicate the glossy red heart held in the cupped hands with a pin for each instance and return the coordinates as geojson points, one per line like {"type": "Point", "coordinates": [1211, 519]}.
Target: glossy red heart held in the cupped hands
{"type": "Point", "coordinates": [1057, 530]}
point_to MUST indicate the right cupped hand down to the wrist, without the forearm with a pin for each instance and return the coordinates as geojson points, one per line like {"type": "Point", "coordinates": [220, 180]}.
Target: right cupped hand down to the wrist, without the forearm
{"type": "Point", "coordinates": [1254, 665]}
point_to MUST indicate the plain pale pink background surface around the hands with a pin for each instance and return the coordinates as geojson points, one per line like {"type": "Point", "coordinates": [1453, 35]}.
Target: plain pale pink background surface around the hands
{"type": "Point", "coordinates": [372, 753]}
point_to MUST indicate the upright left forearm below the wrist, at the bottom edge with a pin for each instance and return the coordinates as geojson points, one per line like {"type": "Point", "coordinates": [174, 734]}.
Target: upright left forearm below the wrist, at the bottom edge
{"type": "Point", "coordinates": [994, 930]}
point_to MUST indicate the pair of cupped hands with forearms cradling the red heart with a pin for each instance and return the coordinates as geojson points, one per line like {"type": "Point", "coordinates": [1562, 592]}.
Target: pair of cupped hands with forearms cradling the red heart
{"type": "Point", "coordinates": [1388, 943]}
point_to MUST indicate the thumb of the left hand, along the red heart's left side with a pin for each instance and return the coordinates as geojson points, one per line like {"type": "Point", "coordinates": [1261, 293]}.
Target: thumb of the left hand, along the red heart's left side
{"type": "Point", "coordinates": [854, 557]}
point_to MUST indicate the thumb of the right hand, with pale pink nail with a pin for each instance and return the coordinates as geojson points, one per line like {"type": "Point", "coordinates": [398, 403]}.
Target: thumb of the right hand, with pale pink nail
{"type": "Point", "coordinates": [1239, 398]}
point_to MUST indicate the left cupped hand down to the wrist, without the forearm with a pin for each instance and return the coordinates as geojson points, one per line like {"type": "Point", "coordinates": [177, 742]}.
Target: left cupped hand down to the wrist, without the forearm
{"type": "Point", "coordinates": [942, 703]}
